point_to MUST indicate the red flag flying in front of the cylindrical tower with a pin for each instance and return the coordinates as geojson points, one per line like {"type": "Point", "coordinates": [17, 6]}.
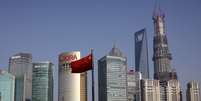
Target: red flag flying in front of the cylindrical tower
{"type": "Point", "coordinates": [82, 65]}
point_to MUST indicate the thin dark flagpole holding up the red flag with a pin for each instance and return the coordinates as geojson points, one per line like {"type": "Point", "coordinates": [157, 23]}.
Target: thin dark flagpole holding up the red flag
{"type": "Point", "coordinates": [92, 74]}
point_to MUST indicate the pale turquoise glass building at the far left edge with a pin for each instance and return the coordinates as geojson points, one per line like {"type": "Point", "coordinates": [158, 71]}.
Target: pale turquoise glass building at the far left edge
{"type": "Point", "coordinates": [7, 86]}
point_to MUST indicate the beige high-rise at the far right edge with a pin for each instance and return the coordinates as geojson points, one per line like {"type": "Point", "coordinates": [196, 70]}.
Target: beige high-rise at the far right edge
{"type": "Point", "coordinates": [193, 91]}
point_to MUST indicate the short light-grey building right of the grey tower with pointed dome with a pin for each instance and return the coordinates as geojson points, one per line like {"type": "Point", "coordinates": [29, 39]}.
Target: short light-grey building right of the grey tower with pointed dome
{"type": "Point", "coordinates": [133, 85]}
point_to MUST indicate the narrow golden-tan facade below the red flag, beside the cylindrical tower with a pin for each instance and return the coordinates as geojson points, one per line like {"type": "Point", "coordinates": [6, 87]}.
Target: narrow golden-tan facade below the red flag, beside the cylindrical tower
{"type": "Point", "coordinates": [83, 86]}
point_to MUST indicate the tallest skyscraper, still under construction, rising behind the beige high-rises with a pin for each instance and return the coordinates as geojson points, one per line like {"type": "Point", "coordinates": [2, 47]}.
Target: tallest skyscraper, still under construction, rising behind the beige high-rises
{"type": "Point", "coordinates": [162, 55]}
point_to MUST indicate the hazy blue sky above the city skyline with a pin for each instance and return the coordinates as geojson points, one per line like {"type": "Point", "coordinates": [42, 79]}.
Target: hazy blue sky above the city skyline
{"type": "Point", "coordinates": [46, 28]}
